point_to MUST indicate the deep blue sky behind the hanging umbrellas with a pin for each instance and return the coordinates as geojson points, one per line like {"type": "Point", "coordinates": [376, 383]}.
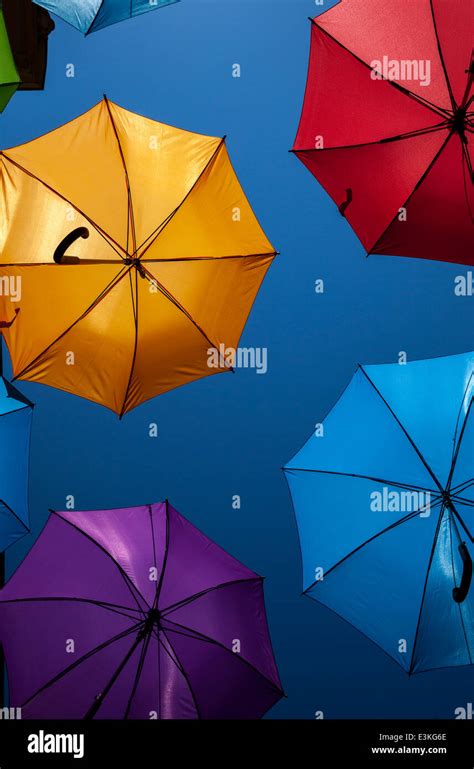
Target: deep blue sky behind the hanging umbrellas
{"type": "Point", "coordinates": [231, 434]}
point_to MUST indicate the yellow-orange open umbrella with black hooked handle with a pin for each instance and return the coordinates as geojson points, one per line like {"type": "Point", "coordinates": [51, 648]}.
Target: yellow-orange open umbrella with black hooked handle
{"type": "Point", "coordinates": [164, 256]}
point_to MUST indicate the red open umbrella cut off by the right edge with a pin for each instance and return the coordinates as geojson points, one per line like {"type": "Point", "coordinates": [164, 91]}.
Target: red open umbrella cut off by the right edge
{"type": "Point", "coordinates": [387, 123]}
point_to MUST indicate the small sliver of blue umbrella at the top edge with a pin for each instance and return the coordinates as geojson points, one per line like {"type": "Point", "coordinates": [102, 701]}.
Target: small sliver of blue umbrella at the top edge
{"type": "Point", "coordinates": [90, 15]}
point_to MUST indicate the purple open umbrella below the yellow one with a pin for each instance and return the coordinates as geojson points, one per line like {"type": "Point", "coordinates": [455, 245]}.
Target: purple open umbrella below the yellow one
{"type": "Point", "coordinates": [134, 613]}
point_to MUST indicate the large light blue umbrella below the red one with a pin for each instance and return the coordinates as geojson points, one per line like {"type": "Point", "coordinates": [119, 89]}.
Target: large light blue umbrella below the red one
{"type": "Point", "coordinates": [384, 500]}
